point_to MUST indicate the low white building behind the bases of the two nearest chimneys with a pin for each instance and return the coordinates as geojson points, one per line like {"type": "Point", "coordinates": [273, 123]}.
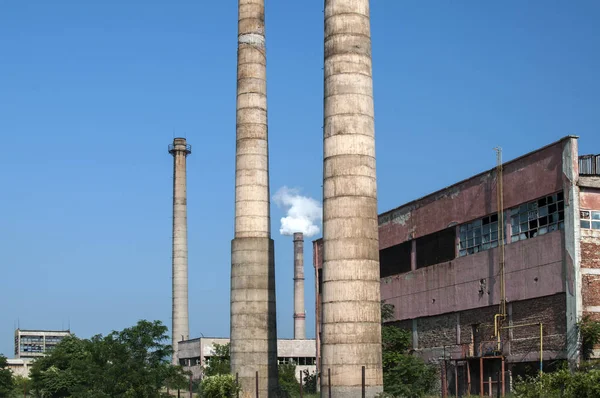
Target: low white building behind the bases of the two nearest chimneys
{"type": "Point", "coordinates": [193, 354]}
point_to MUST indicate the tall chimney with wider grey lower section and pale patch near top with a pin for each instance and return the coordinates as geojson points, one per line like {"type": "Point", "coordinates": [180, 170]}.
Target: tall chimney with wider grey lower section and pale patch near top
{"type": "Point", "coordinates": [253, 322]}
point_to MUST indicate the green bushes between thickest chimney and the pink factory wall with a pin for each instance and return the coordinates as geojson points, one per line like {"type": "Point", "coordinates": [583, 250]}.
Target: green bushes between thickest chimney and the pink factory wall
{"type": "Point", "coordinates": [404, 375]}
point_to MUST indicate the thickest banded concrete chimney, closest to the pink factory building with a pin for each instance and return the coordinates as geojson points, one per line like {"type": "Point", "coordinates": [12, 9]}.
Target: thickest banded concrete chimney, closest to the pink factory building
{"type": "Point", "coordinates": [351, 324]}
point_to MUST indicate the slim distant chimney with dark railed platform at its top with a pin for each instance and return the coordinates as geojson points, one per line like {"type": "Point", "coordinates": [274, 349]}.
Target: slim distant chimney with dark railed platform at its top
{"type": "Point", "coordinates": [180, 330]}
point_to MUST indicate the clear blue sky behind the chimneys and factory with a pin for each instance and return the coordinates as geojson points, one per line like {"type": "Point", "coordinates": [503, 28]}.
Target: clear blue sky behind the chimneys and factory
{"type": "Point", "coordinates": [92, 92]}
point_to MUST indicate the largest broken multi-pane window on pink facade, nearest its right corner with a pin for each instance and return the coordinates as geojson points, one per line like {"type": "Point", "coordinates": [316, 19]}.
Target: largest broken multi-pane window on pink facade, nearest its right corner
{"type": "Point", "coordinates": [538, 217]}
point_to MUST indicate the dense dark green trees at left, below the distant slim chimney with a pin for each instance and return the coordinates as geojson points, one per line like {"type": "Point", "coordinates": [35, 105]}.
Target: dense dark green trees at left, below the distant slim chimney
{"type": "Point", "coordinates": [132, 363]}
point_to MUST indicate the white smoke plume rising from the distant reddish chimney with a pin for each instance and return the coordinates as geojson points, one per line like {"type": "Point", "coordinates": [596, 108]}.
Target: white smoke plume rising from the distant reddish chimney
{"type": "Point", "coordinates": [304, 214]}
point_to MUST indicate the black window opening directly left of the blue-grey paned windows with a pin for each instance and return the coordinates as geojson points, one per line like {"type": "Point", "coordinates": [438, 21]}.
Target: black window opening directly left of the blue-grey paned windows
{"type": "Point", "coordinates": [436, 248]}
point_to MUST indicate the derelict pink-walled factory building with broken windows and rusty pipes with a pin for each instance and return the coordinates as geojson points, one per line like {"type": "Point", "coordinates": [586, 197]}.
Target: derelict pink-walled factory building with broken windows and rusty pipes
{"type": "Point", "coordinates": [492, 274]}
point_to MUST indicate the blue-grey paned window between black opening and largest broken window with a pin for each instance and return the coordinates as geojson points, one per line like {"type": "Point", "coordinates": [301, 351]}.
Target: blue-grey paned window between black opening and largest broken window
{"type": "Point", "coordinates": [478, 235]}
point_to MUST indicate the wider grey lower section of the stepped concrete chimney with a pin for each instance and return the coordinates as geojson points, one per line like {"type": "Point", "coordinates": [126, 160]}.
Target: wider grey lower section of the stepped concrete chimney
{"type": "Point", "coordinates": [253, 315]}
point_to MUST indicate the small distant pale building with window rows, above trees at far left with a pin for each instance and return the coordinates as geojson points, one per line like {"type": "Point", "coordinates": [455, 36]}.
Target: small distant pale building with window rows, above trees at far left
{"type": "Point", "coordinates": [36, 343]}
